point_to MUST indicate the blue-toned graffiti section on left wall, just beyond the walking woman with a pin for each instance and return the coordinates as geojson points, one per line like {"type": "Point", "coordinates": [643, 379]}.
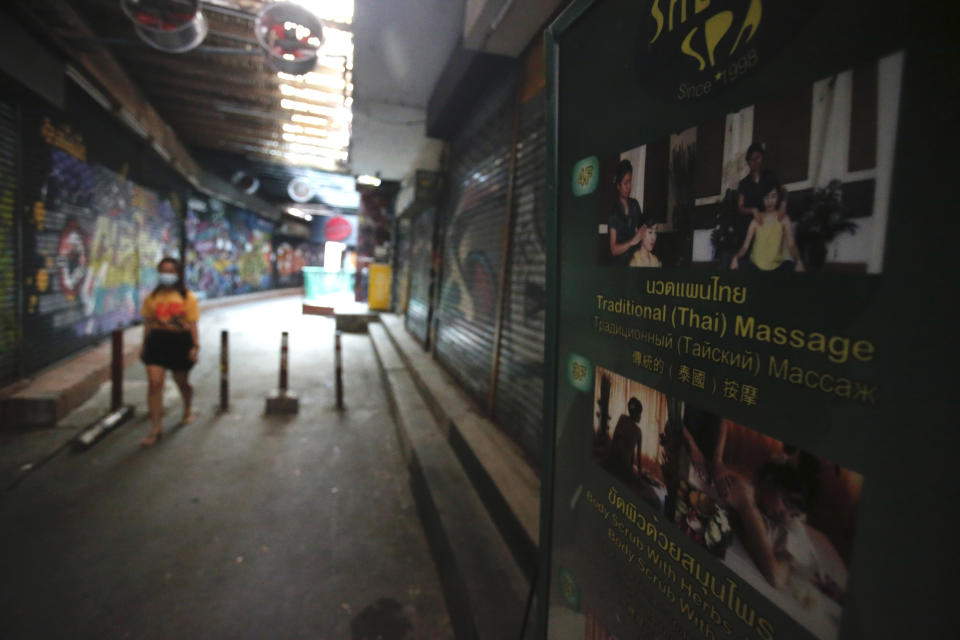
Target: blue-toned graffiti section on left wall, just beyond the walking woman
{"type": "Point", "coordinates": [229, 250]}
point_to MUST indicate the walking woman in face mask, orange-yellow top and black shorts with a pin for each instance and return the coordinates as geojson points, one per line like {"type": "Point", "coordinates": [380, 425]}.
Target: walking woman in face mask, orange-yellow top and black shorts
{"type": "Point", "coordinates": [170, 315]}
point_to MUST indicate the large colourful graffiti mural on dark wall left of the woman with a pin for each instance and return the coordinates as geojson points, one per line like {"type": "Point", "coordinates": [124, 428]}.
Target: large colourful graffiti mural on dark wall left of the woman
{"type": "Point", "coordinates": [93, 240]}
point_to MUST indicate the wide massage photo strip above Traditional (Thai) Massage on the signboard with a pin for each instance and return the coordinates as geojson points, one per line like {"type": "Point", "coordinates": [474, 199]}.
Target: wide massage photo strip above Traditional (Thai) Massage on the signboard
{"type": "Point", "coordinates": [827, 146]}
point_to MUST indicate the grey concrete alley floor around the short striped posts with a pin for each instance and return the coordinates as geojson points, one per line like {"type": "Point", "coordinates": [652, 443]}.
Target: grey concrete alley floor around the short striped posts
{"type": "Point", "coordinates": [237, 525]}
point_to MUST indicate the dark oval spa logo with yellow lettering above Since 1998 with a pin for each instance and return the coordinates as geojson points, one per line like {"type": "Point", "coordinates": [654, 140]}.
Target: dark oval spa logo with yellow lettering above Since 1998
{"type": "Point", "coordinates": [692, 49]}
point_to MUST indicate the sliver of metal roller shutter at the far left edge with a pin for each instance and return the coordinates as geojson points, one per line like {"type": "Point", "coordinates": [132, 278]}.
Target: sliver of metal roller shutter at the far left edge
{"type": "Point", "coordinates": [9, 325]}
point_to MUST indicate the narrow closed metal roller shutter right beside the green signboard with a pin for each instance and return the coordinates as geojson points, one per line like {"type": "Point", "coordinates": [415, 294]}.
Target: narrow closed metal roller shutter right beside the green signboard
{"type": "Point", "coordinates": [518, 402]}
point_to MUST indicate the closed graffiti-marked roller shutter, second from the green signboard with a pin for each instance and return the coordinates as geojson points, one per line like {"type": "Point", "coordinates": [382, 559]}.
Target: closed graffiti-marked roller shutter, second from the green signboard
{"type": "Point", "coordinates": [472, 248]}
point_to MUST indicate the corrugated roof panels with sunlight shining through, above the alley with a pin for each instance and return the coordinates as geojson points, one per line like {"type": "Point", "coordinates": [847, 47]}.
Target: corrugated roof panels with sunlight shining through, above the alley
{"type": "Point", "coordinates": [224, 97]}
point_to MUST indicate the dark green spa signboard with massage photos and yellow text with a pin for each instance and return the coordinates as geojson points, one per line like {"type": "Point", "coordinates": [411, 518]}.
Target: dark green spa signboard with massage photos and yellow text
{"type": "Point", "coordinates": [749, 354]}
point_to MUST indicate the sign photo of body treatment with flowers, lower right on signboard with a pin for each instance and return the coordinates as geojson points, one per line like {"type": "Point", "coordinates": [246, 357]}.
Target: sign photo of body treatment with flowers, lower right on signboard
{"type": "Point", "coordinates": [782, 519]}
